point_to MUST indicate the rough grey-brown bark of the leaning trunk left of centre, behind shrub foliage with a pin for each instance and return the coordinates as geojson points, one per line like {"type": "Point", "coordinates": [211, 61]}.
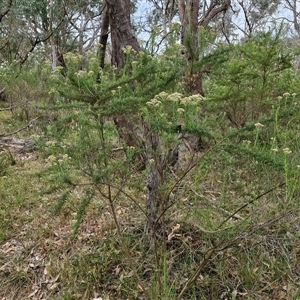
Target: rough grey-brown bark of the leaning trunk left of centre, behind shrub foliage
{"type": "Point", "coordinates": [121, 36]}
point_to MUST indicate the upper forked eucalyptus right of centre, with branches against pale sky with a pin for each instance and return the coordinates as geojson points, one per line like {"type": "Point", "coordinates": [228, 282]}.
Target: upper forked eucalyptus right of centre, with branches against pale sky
{"type": "Point", "coordinates": [184, 21]}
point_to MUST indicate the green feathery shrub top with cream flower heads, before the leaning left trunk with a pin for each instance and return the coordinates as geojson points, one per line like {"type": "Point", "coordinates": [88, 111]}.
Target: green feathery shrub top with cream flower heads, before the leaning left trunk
{"type": "Point", "coordinates": [113, 92]}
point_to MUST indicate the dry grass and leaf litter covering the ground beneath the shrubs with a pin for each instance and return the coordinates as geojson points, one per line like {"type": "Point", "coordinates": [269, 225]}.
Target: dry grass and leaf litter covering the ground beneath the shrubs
{"type": "Point", "coordinates": [253, 255]}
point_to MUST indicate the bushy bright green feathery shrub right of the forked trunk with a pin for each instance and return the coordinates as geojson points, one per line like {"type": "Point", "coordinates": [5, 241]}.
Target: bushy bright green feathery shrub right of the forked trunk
{"type": "Point", "coordinates": [248, 83]}
